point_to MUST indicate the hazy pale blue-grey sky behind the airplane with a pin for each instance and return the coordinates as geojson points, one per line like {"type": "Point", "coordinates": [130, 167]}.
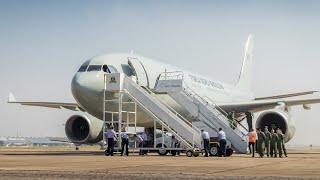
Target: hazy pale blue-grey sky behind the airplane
{"type": "Point", "coordinates": [43, 43]}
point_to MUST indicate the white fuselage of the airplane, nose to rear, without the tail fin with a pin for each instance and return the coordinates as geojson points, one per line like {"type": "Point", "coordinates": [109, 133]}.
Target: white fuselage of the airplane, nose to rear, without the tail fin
{"type": "Point", "coordinates": [87, 87]}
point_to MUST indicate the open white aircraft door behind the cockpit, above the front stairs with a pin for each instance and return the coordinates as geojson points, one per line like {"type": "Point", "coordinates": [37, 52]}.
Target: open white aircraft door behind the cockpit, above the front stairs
{"type": "Point", "coordinates": [139, 71]}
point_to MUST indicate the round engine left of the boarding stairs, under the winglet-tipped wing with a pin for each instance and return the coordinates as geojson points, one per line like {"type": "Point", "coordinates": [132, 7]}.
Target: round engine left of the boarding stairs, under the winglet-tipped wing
{"type": "Point", "coordinates": [84, 129]}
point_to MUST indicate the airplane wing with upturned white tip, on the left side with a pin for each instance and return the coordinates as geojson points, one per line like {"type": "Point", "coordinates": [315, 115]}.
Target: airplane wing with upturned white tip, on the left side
{"type": "Point", "coordinates": [58, 105]}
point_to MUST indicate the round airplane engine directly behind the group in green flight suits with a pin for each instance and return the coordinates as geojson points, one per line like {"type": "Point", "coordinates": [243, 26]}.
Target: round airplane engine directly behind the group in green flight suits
{"type": "Point", "coordinates": [277, 118]}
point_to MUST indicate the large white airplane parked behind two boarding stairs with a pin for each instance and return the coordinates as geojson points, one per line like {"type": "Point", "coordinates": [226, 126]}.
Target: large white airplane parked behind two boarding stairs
{"type": "Point", "coordinates": [87, 89]}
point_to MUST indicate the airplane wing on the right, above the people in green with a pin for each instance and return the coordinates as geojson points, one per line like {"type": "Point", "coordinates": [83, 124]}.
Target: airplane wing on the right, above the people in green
{"type": "Point", "coordinates": [260, 105]}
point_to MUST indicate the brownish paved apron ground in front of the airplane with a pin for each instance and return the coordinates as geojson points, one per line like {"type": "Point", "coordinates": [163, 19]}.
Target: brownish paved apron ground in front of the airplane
{"type": "Point", "coordinates": [90, 163]}
